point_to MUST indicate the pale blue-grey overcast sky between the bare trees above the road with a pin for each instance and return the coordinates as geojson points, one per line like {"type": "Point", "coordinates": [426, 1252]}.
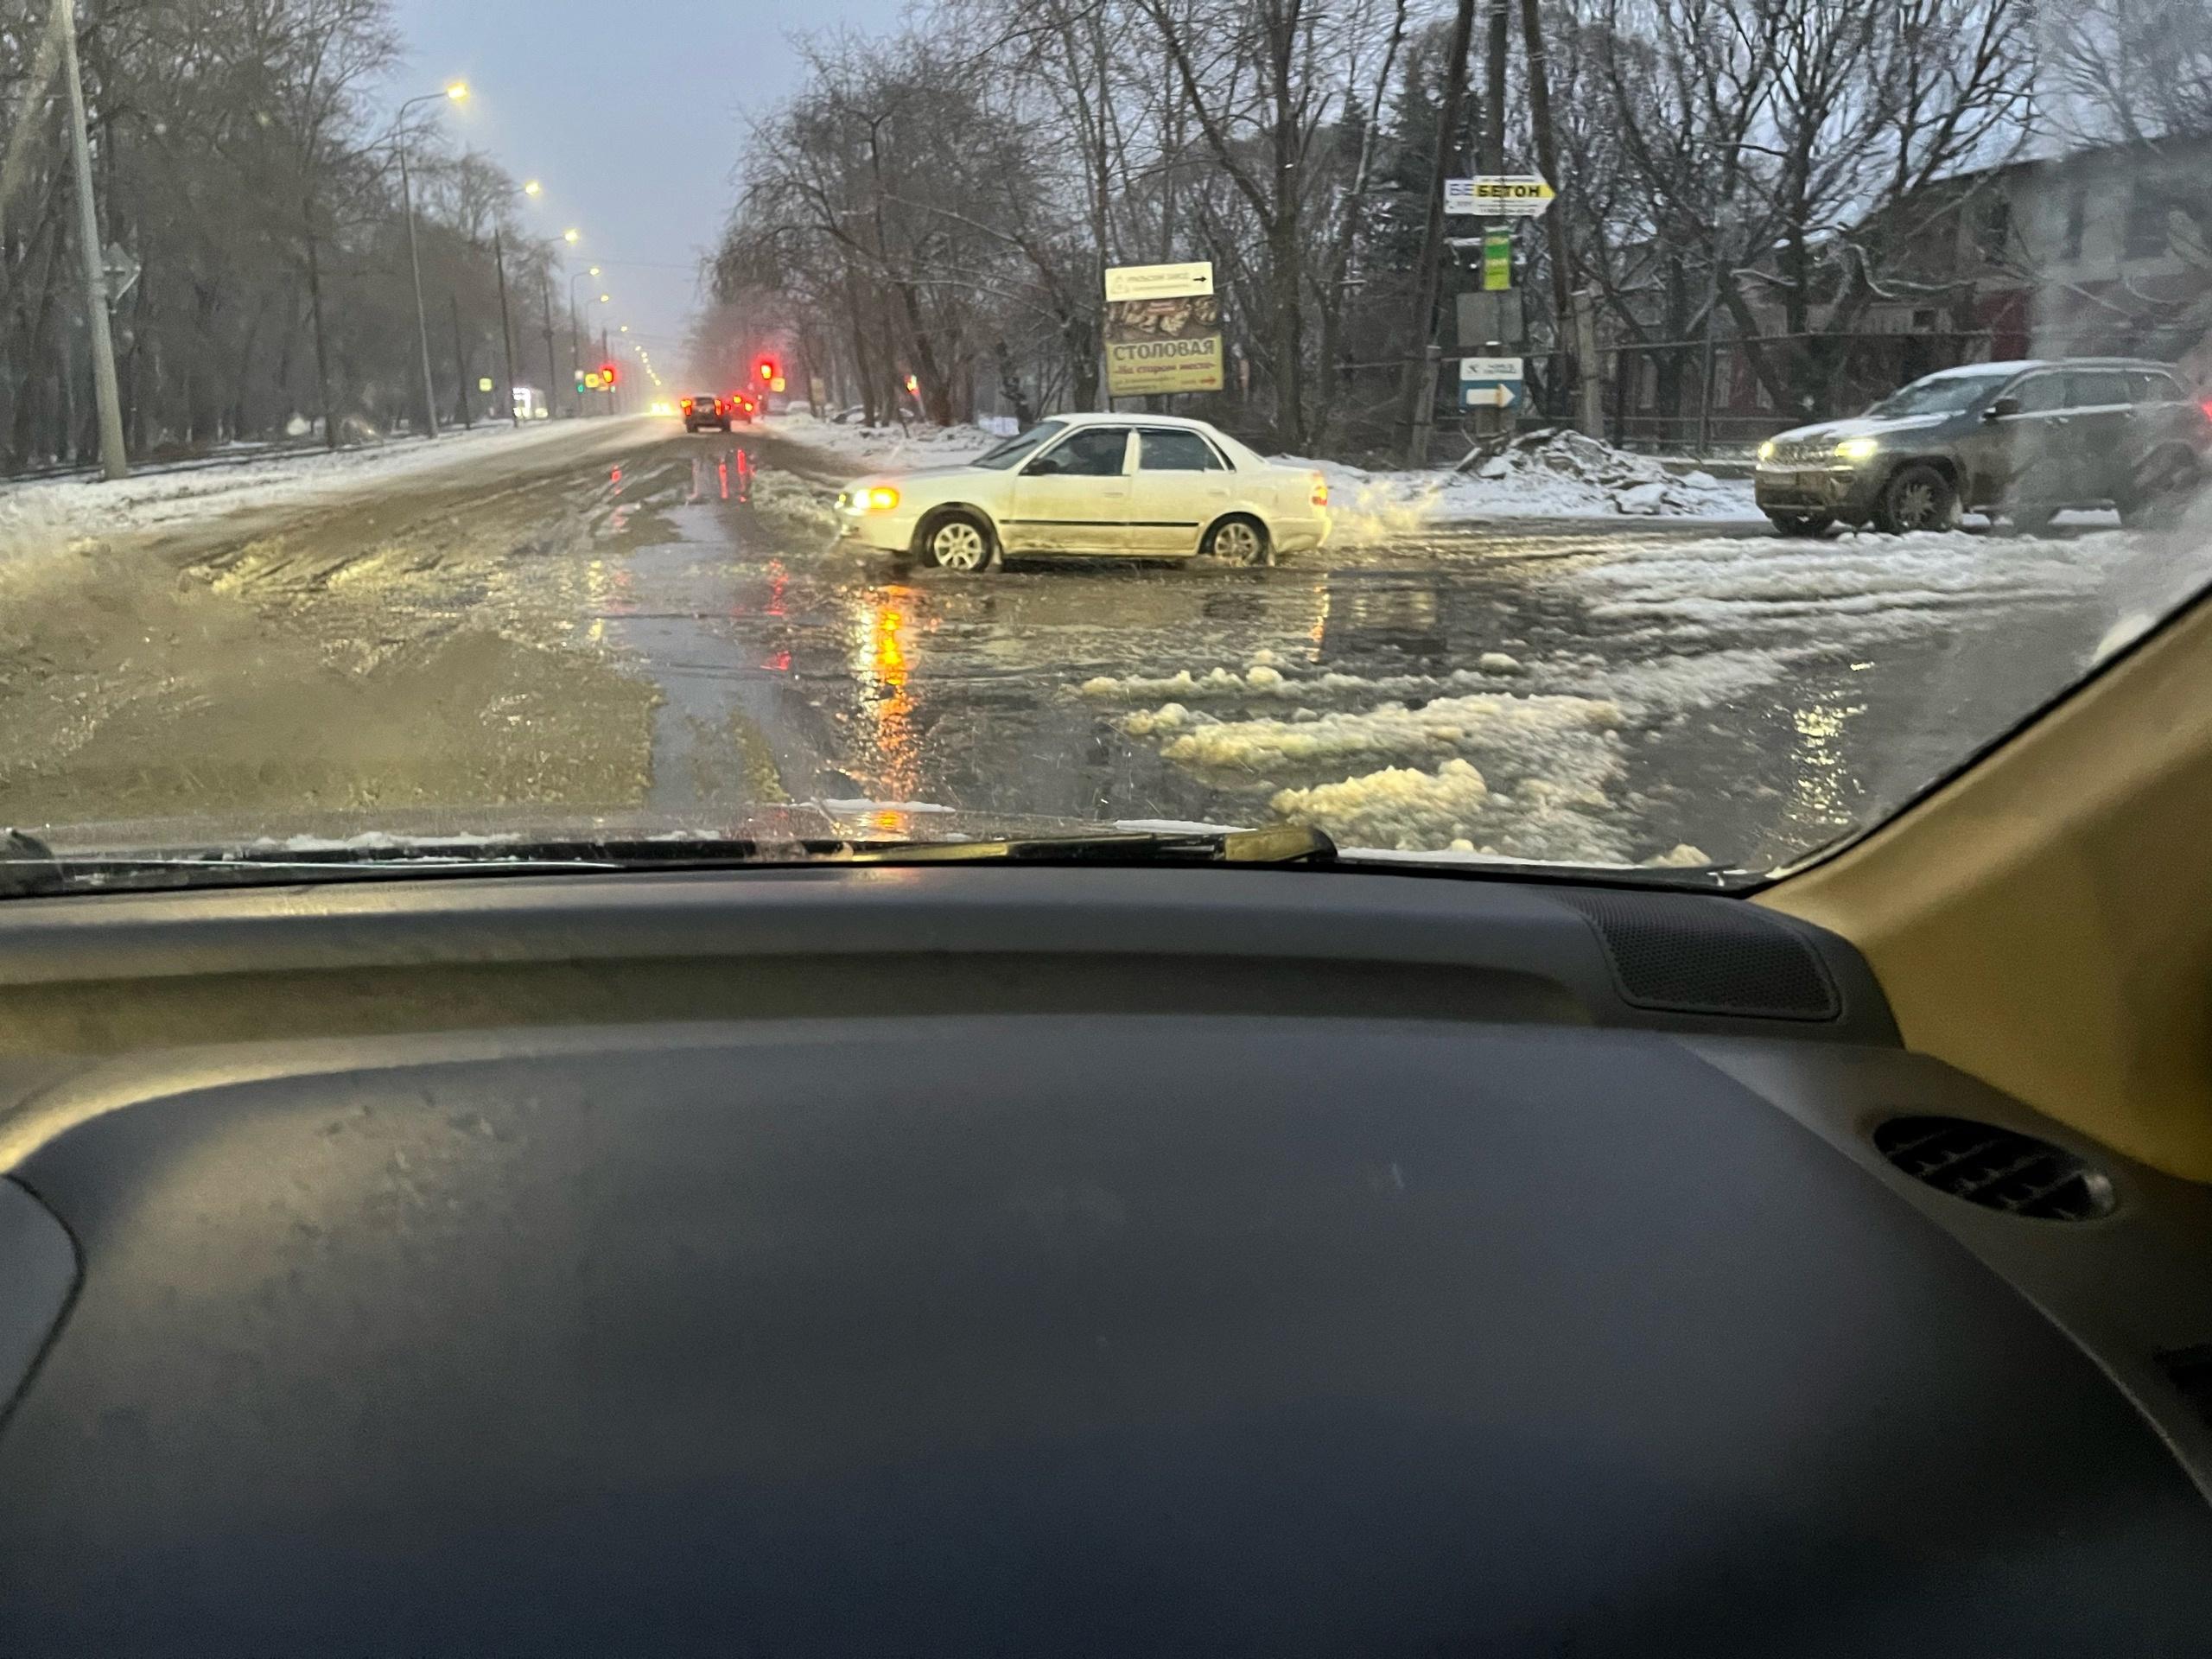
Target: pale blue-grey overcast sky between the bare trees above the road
{"type": "Point", "coordinates": [629, 112]}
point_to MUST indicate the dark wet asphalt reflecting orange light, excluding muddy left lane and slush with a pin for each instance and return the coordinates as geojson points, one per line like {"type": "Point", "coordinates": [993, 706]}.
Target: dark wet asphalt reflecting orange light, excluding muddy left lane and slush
{"type": "Point", "coordinates": [802, 669]}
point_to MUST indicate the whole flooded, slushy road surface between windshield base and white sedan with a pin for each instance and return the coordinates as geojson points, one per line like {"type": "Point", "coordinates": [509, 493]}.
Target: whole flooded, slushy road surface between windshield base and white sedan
{"type": "Point", "coordinates": [667, 623]}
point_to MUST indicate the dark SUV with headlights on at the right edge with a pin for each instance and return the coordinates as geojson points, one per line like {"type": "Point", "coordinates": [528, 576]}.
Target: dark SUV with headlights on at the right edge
{"type": "Point", "coordinates": [2016, 439]}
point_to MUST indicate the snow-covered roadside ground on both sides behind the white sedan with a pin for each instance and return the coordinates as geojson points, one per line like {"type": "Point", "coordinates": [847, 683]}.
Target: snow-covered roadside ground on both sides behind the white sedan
{"type": "Point", "coordinates": [1543, 477]}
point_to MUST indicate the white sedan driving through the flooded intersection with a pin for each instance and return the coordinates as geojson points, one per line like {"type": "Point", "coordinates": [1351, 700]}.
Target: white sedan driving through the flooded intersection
{"type": "Point", "coordinates": [1096, 486]}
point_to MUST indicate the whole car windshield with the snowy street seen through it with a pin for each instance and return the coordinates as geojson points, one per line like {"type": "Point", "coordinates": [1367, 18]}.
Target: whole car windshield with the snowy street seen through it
{"type": "Point", "coordinates": [351, 490]}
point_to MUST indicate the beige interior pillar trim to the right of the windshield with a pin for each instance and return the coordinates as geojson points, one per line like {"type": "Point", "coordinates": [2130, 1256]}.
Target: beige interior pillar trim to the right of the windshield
{"type": "Point", "coordinates": [2045, 921]}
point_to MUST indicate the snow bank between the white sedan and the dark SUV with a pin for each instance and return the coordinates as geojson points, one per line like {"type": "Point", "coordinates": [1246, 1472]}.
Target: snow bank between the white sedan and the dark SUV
{"type": "Point", "coordinates": [1550, 474]}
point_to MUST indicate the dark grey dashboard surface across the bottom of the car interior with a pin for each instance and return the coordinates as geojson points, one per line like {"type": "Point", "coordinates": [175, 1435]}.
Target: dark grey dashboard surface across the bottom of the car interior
{"type": "Point", "coordinates": [1087, 1317]}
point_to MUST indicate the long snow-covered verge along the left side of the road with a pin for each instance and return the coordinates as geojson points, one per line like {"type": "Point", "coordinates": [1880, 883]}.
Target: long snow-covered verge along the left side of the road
{"type": "Point", "coordinates": [50, 514]}
